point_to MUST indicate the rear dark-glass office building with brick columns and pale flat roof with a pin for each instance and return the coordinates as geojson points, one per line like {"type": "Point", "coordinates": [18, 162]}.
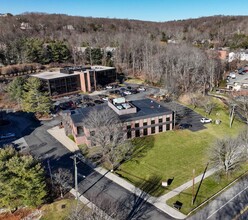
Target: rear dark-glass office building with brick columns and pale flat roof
{"type": "Point", "coordinates": [75, 79]}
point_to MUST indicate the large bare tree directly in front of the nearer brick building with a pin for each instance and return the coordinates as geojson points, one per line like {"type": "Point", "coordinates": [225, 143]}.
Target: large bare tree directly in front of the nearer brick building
{"type": "Point", "coordinates": [107, 133]}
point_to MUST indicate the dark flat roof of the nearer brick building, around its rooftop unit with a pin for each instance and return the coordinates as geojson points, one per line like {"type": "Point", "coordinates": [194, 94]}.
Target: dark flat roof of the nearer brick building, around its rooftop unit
{"type": "Point", "coordinates": [146, 108]}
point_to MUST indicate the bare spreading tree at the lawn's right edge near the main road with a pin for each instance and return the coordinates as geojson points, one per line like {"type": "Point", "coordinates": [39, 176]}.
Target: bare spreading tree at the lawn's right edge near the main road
{"type": "Point", "coordinates": [227, 154]}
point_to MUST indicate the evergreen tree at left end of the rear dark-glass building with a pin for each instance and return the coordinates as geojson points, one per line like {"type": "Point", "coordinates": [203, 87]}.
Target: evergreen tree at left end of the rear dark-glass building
{"type": "Point", "coordinates": [34, 100]}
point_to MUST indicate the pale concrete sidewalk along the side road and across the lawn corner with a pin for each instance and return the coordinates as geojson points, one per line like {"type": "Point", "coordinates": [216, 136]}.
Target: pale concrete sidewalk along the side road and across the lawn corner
{"type": "Point", "coordinates": [159, 202]}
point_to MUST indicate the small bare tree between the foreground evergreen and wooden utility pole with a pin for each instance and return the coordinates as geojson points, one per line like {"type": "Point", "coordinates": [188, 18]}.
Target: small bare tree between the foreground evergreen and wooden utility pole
{"type": "Point", "coordinates": [63, 178]}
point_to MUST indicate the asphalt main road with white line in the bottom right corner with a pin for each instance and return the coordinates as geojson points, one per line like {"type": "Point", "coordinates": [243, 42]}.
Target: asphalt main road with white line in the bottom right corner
{"type": "Point", "coordinates": [228, 205]}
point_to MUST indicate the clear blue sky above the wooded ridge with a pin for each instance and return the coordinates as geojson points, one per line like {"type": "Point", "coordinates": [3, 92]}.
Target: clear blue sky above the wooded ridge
{"type": "Point", "coordinates": [147, 10]}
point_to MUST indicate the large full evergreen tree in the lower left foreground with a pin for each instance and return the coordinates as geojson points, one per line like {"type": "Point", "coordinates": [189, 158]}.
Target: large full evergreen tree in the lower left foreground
{"type": "Point", "coordinates": [21, 180]}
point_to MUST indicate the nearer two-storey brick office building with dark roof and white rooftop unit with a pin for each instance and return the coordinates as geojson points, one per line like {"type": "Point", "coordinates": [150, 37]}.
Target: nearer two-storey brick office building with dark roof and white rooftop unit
{"type": "Point", "coordinates": [138, 118]}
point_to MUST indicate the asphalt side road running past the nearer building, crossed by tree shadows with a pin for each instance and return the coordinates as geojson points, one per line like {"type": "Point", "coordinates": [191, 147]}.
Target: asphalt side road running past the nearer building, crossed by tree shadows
{"type": "Point", "coordinates": [103, 192]}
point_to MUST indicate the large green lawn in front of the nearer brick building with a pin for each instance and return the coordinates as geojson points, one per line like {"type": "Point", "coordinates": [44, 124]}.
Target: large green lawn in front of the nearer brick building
{"type": "Point", "coordinates": [175, 153]}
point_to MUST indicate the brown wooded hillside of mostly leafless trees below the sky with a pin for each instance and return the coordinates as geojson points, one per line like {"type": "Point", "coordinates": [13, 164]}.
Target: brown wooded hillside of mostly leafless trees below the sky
{"type": "Point", "coordinates": [172, 53]}
